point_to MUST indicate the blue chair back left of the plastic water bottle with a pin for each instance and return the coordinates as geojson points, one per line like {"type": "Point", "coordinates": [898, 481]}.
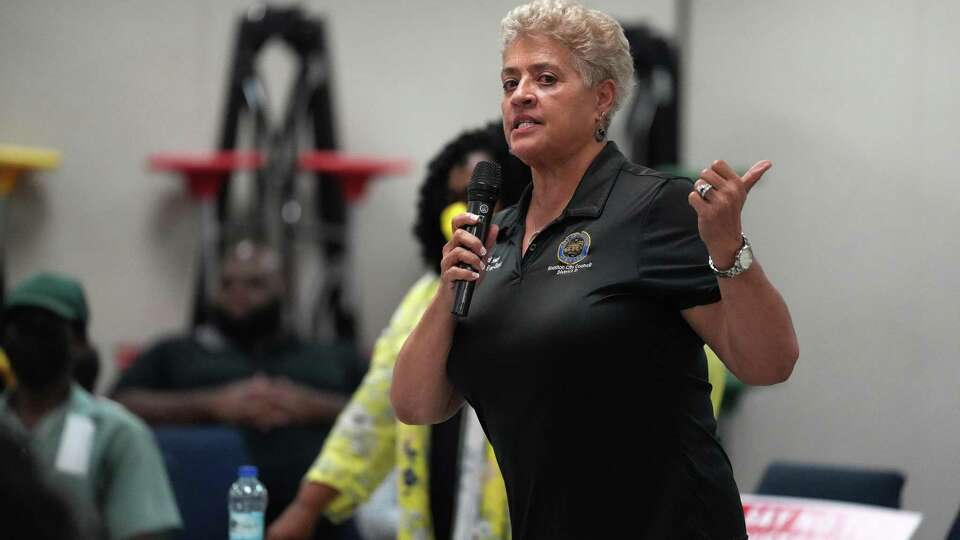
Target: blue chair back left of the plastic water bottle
{"type": "Point", "coordinates": [202, 463]}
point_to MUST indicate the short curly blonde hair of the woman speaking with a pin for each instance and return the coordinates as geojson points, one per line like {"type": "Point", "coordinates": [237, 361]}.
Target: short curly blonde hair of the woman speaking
{"type": "Point", "coordinates": [597, 45]}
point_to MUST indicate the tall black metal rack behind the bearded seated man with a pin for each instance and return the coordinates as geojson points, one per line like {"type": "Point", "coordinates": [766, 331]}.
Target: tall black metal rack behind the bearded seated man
{"type": "Point", "coordinates": [309, 115]}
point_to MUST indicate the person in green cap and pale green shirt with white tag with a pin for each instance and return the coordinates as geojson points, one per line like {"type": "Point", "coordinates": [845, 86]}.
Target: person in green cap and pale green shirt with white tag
{"type": "Point", "coordinates": [99, 457]}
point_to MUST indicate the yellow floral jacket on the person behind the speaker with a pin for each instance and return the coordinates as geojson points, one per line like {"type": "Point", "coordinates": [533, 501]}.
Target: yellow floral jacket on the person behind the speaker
{"type": "Point", "coordinates": [367, 442]}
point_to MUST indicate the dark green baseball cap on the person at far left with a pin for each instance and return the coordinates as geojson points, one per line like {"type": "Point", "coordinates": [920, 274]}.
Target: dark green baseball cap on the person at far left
{"type": "Point", "coordinates": [58, 293]}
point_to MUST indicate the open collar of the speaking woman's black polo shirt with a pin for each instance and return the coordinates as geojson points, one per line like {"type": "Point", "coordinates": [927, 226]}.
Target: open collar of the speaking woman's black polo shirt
{"type": "Point", "coordinates": [590, 196]}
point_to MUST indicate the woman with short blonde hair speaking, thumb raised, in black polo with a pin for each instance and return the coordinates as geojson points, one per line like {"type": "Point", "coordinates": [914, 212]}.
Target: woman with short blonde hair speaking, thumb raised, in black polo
{"type": "Point", "coordinates": [583, 349]}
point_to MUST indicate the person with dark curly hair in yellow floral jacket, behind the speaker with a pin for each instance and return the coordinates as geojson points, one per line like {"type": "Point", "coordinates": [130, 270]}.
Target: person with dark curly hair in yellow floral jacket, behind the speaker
{"type": "Point", "coordinates": [368, 442]}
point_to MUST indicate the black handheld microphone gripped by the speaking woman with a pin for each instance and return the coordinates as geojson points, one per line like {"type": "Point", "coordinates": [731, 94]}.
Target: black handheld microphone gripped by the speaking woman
{"type": "Point", "coordinates": [482, 194]}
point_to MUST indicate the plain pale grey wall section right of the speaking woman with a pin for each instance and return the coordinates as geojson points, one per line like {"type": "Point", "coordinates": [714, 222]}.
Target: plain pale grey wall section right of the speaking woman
{"type": "Point", "coordinates": [856, 104]}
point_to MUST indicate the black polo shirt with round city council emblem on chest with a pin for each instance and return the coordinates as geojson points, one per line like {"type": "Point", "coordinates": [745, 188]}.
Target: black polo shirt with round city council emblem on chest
{"type": "Point", "coordinates": [588, 381]}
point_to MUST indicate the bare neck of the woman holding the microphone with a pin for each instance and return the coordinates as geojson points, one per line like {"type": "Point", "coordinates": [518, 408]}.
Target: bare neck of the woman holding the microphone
{"type": "Point", "coordinates": [554, 184]}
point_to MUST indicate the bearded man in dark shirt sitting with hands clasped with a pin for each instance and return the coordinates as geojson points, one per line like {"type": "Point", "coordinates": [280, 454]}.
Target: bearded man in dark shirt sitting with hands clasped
{"type": "Point", "coordinates": [245, 369]}
